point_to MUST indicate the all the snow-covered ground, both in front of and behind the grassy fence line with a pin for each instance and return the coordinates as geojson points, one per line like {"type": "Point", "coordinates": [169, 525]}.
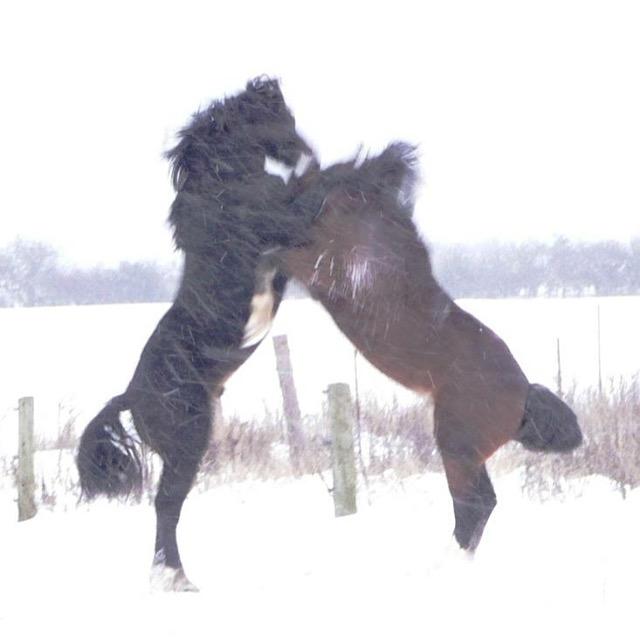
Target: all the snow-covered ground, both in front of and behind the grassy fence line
{"type": "Point", "coordinates": [270, 558]}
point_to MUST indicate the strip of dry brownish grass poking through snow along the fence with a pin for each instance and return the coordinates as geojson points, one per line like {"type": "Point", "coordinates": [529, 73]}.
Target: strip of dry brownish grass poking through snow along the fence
{"type": "Point", "coordinates": [391, 441]}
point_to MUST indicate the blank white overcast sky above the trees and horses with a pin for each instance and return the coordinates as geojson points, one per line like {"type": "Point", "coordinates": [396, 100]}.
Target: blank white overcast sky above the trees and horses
{"type": "Point", "coordinates": [526, 113]}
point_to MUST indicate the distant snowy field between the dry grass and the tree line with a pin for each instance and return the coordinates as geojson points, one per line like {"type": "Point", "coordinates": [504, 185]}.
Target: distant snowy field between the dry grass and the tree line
{"type": "Point", "coordinates": [73, 359]}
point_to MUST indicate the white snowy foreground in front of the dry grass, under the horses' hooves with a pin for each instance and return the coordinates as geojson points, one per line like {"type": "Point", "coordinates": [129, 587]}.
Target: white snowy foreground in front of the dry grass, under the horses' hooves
{"type": "Point", "coordinates": [272, 562]}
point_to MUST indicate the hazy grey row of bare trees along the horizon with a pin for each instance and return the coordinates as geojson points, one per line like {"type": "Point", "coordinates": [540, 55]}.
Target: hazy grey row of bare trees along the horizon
{"type": "Point", "coordinates": [31, 273]}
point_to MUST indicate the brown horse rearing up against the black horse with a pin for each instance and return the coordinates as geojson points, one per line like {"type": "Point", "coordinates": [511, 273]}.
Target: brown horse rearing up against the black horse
{"type": "Point", "coordinates": [371, 271]}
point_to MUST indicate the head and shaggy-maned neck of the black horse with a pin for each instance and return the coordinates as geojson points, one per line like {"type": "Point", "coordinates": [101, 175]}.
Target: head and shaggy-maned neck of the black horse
{"type": "Point", "coordinates": [218, 172]}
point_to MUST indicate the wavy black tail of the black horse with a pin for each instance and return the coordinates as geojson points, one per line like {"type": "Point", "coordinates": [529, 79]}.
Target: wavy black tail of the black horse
{"type": "Point", "coordinates": [108, 459]}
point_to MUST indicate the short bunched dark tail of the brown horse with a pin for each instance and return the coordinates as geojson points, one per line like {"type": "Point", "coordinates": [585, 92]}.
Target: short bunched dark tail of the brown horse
{"type": "Point", "coordinates": [548, 423]}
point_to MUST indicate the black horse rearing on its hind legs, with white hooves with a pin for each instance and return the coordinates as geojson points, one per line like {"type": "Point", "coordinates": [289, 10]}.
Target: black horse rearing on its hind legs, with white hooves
{"type": "Point", "coordinates": [229, 216]}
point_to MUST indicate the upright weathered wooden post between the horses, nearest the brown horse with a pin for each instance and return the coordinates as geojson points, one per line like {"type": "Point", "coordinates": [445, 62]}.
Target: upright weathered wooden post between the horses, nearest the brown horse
{"type": "Point", "coordinates": [344, 464]}
